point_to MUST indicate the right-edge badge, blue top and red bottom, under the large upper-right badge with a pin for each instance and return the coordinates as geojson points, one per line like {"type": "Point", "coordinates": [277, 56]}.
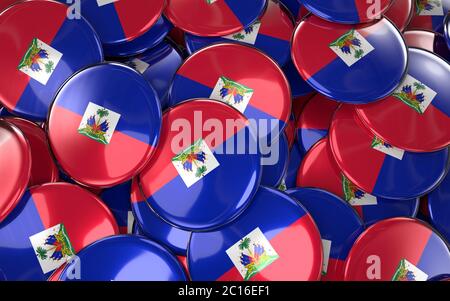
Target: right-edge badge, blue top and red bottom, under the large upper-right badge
{"type": "Point", "coordinates": [416, 117]}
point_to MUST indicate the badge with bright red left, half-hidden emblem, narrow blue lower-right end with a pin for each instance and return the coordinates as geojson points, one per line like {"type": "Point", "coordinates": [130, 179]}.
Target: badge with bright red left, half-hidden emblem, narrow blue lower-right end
{"type": "Point", "coordinates": [319, 169]}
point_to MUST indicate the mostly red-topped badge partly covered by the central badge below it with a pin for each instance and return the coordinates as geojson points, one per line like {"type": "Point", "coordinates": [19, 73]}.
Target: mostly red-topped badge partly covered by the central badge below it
{"type": "Point", "coordinates": [240, 76]}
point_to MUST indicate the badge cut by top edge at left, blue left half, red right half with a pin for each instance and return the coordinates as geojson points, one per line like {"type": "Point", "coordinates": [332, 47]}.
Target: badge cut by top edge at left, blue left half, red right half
{"type": "Point", "coordinates": [121, 21]}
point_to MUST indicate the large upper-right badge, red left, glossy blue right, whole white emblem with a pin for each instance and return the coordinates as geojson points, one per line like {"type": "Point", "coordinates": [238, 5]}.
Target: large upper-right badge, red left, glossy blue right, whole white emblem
{"type": "Point", "coordinates": [350, 63]}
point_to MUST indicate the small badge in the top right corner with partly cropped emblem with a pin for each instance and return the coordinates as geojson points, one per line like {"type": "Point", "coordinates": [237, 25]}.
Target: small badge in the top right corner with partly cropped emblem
{"type": "Point", "coordinates": [430, 14]}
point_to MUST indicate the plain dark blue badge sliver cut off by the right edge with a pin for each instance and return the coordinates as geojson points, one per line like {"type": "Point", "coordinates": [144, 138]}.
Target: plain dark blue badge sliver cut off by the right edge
{"type": "Point", "coordinates": [439, 208]}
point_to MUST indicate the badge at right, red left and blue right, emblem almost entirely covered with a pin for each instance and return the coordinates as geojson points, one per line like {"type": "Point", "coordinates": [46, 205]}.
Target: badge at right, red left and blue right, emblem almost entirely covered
{"type": "Point", "coordinates": [379, 168]}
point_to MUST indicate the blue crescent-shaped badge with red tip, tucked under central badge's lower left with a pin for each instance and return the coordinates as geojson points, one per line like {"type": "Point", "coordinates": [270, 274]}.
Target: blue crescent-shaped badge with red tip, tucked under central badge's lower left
{"type": "Point", "coordinates": [152, 226]}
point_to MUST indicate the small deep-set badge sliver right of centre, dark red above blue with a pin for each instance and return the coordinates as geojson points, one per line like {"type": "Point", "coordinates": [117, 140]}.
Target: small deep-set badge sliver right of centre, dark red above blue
{"type": "Point", "coordinates": [314, 121]}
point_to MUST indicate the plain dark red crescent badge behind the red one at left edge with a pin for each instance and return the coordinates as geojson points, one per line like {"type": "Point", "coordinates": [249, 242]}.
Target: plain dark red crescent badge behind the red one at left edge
{"type": "Point", "coordinates": [43, 168]}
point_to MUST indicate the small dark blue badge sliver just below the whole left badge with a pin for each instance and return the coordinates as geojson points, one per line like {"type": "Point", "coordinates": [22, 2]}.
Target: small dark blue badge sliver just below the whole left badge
{"type": "Point", "coordinates": [117, 199]}
